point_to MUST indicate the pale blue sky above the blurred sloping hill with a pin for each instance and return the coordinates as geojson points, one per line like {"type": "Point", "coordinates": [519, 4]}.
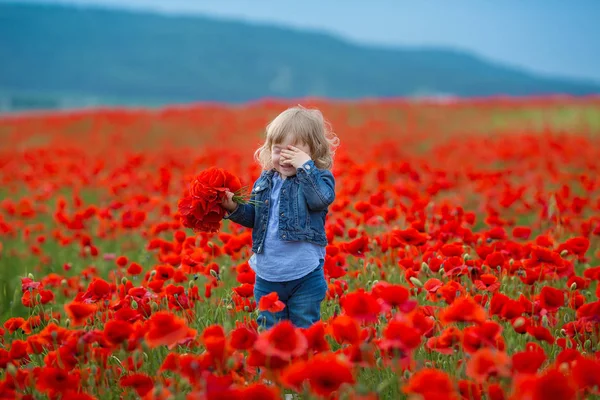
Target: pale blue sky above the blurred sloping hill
{"type": "Point", "coordinates": [552, 37]}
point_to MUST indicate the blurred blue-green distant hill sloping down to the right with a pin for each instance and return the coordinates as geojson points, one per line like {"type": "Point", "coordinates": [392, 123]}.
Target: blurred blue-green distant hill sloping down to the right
{"type": "Point", "coordinates": [53, 50]}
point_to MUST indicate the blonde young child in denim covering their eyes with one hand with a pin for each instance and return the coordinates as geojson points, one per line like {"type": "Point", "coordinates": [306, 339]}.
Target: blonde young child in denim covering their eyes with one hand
{"type": "Point", "coordinates": [291, 201]}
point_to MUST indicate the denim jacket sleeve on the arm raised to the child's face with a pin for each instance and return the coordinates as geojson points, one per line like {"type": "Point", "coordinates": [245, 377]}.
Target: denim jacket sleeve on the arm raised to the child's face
{"type": "Point", "coordinates": [318, 186]}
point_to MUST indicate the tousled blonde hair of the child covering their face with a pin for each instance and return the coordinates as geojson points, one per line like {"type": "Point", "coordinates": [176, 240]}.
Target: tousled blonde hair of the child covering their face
{"type": "Point", "coordinates": [309, 127]}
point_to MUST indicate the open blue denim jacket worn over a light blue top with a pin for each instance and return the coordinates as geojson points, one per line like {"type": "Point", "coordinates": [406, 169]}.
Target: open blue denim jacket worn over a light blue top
{"type": "Point", "coordinates": [303, 206]}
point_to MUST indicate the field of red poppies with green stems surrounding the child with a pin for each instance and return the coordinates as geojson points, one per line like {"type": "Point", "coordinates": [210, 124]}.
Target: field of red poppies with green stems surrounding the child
{"type": "Point", "coordinates": [463, 258]}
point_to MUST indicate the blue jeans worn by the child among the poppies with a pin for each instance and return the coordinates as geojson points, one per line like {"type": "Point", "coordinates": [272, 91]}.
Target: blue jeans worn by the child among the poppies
{"type": "Point", "coordinates": [302, 298]}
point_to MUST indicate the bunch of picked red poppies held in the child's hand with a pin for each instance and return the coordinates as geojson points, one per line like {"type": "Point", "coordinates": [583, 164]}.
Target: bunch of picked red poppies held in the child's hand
{"type": "Point", "coordinates": [200, 208]}
